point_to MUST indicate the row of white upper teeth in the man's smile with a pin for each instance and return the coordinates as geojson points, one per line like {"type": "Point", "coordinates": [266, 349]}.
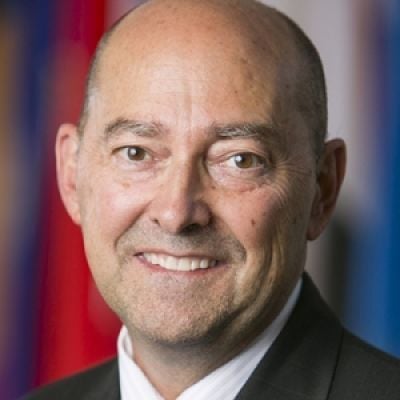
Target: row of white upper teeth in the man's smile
{"type": "Point", "coordinates": [179, 263]}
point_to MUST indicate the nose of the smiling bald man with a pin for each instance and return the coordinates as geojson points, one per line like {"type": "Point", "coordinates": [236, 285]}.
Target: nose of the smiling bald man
{"type": "Point", "coordinates": [178, 204]}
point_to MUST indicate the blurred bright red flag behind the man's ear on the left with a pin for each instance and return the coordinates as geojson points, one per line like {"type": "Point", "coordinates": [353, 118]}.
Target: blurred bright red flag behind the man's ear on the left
{"type": "Point", "coordinates": [76, 328]}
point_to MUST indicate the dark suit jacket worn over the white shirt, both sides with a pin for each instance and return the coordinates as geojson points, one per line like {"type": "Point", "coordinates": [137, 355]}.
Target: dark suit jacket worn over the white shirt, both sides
{"type": "Point", "coordinates": [313, 358]}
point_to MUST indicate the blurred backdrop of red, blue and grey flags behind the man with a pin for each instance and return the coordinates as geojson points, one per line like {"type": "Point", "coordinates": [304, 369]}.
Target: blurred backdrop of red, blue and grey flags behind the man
{"type": "Point", "coordinates": [52, 320]}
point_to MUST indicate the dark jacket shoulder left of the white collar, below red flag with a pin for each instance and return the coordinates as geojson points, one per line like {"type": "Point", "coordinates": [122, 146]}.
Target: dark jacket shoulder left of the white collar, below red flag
{"type": "Point", "coordinates": [97, 382]}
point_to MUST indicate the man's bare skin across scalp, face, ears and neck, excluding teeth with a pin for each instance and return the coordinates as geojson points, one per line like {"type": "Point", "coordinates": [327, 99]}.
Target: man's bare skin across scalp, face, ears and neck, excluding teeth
{"type": "Point", "coordinates": [180, 81]}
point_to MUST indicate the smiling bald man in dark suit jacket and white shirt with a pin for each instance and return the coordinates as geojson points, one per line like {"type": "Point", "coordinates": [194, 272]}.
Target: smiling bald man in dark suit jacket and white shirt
{"type": "Point", "coordinates": [198, 172]}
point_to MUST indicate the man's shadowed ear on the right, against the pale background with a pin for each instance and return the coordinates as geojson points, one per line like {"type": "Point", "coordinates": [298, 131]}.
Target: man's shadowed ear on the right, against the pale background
{"type": "Point", "coordinates": [331, 171]}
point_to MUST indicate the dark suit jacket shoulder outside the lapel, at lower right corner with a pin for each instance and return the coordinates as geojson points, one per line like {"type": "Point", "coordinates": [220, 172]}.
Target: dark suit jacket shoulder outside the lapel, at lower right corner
{"type": "Point", "coordinates": [365, 370]}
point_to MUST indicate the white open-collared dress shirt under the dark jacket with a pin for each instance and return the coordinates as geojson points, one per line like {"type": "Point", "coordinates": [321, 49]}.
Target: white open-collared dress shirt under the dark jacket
{"type": "Point", "coordinates": [224, 383]}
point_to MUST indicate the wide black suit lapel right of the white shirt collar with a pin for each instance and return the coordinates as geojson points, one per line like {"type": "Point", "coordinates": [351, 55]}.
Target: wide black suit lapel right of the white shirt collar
{"type": "Point", "coordinates": [301, 362]}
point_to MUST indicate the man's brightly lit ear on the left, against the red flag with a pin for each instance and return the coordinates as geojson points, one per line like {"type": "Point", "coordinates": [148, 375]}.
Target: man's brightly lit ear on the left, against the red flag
{"type": "Point", "coordinates": [67, 148]}
